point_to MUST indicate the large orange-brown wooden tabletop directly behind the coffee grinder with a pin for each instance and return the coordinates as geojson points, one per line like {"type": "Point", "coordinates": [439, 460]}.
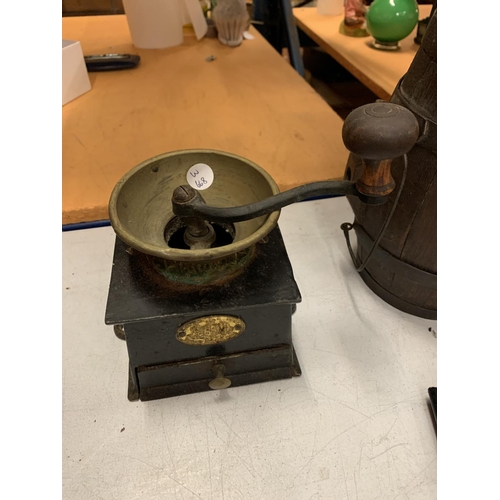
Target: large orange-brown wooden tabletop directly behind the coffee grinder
{"type": "Point", "coordinates": [248, 101]}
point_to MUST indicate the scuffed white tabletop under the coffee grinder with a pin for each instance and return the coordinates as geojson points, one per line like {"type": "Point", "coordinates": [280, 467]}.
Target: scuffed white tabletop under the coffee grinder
{"type": "Point", "coordinates": [355, 425]}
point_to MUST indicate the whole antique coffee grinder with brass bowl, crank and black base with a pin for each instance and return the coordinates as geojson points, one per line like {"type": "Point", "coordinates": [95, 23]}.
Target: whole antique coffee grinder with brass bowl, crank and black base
{"type": "Point", "coordinates": [201, 288]}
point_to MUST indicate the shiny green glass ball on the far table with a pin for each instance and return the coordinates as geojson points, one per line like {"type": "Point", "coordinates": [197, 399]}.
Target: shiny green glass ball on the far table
{"type": "Point", "coordinates": [389, 21]}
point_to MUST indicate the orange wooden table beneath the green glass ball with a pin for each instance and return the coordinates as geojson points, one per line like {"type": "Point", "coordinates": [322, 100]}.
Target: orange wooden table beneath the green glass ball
{"type": "Point", "coordinates": [379, 70]}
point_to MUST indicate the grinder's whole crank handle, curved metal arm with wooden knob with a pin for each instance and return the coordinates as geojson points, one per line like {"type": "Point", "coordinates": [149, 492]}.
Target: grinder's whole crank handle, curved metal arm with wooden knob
{"type": "Point", "coordinates": [377, 132]}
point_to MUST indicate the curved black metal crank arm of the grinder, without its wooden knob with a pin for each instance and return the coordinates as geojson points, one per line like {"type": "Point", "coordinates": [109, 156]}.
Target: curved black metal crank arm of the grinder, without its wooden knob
{"type": "Point", "coordinates": [188, 202]}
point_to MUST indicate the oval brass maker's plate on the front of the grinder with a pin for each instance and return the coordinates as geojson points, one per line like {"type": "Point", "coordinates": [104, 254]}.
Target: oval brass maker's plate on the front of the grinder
{"type": "Point", "coordinates": [210, 330]}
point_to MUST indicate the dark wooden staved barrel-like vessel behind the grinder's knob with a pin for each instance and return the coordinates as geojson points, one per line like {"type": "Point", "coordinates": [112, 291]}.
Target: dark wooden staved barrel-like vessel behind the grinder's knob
{"type": "Point", "coordinates": [403, 268]}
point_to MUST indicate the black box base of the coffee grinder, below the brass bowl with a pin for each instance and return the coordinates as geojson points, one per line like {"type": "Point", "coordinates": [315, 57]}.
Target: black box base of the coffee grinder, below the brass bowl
{"type": "Point", "coordinates": [152, 308]}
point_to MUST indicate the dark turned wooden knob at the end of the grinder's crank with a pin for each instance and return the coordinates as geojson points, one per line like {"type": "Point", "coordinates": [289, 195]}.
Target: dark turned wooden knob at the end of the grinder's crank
{"type": "Point", "coordinates": [378, 133]}
